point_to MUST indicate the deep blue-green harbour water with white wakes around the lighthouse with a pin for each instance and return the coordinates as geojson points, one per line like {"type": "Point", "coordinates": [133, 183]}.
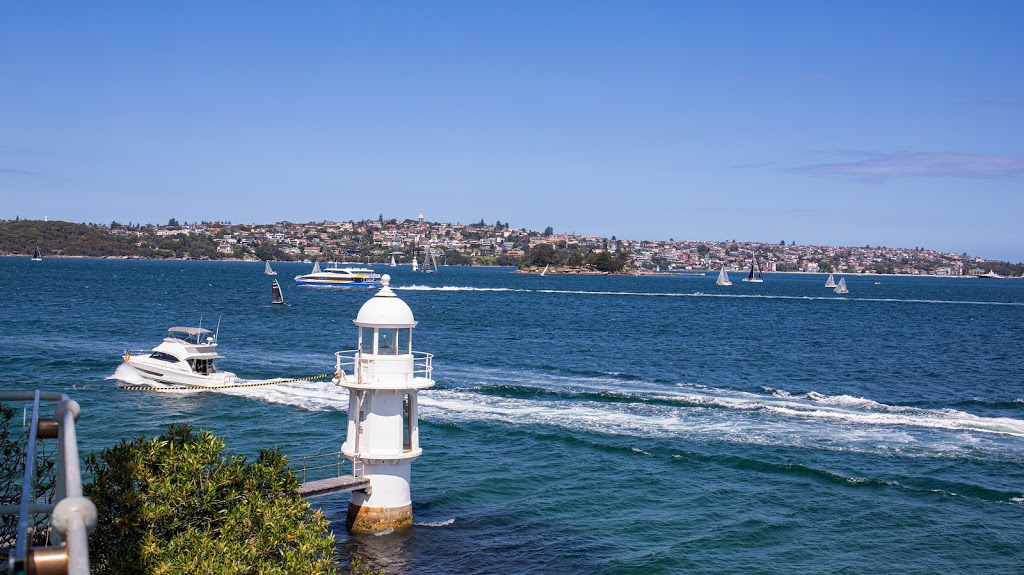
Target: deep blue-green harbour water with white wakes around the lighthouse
{"type": "Point", "coordinates": [600, 425]}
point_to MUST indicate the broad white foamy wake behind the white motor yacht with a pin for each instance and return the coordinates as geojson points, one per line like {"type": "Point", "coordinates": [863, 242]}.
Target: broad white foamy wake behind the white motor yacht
{"type": "Point", "coordinates": [687, 412]}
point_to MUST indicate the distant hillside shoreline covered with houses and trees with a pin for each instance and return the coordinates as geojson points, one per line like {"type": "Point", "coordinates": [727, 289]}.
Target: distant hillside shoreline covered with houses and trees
{"type": "Point", "coordinates": [458, 244]}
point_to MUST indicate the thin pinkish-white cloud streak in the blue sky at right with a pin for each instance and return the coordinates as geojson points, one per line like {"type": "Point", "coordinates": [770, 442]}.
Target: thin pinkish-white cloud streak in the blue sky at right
{"type": "Point", "coordinates": [927, 165]}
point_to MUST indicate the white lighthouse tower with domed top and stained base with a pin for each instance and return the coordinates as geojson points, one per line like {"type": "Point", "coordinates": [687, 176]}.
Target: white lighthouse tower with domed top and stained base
{"type": "Point", "coordinates": [383, 376]}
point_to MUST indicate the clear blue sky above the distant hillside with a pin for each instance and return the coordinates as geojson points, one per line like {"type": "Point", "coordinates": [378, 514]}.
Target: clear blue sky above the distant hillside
{"type": "Point", "coordinates": [831, 123]}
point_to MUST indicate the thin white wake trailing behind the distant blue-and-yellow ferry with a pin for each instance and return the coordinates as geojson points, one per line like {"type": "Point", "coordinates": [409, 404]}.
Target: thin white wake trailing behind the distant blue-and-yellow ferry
{"type": "Point", "coordinates": [705, 295]}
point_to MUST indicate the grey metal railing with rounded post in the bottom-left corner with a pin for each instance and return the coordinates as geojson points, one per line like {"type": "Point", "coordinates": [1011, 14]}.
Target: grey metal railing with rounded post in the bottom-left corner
{"type": "Point", "coordinates": [72, 516]}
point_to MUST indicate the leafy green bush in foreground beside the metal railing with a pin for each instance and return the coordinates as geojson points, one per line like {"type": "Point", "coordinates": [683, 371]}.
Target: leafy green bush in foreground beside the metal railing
{"type": "Point", "coordinates": [178, 505]}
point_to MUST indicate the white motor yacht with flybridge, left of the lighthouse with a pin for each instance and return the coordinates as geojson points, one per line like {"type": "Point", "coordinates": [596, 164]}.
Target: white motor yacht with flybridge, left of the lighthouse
{"type": "Point", "coordinates": [185, 359]}
